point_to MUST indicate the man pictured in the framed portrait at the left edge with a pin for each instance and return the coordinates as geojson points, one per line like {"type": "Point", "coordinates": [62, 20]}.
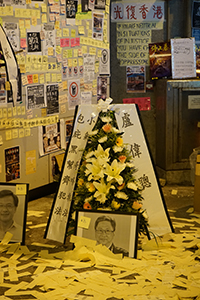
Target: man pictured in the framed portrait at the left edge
{"type": "Point", "coordinates": [8, 206]}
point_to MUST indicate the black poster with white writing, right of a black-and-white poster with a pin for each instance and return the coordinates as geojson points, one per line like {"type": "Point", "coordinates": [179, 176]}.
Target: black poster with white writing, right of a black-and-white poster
{"type": "Point", "coordinates": [52, 99]}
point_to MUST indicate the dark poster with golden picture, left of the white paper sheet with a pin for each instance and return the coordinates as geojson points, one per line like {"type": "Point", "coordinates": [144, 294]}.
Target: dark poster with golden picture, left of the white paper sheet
{"type": "Point", "coordinates": [160, 60]}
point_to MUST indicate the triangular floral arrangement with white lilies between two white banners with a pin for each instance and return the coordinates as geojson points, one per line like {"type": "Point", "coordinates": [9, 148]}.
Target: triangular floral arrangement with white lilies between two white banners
{"type": "Point", "coordinates": [105, 179]}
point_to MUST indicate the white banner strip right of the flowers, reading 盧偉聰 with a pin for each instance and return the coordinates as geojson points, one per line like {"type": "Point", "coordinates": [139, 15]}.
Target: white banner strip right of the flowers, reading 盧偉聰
{"type": "Point", "coordinates": [129, 123]}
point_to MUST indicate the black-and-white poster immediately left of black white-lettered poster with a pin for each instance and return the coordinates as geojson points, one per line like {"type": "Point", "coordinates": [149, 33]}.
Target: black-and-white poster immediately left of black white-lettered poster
{"type": "Point", "coordinates": [35, 97]}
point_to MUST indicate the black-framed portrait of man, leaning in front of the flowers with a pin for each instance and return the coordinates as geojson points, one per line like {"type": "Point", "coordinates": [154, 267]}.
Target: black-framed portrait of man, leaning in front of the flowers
{"type": "Point", "coordinates": [115, 230]}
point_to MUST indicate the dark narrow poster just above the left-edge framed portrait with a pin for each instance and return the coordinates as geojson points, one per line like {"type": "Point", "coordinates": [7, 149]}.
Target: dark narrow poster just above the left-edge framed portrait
{"type": "Point", "coordinates": [12, 163]}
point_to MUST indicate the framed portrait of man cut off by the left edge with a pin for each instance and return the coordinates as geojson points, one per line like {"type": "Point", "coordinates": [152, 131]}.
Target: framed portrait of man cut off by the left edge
{"type": "Point", "coordinates": [13, 211]}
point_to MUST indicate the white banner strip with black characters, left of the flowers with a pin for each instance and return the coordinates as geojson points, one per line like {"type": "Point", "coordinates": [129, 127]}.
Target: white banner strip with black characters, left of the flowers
{"type": "Point", "coordinates": [85, 120]}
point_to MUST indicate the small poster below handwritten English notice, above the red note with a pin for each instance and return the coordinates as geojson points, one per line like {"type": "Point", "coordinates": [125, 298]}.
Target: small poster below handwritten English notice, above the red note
{"type": "Point", "coordinates": [135, 79]}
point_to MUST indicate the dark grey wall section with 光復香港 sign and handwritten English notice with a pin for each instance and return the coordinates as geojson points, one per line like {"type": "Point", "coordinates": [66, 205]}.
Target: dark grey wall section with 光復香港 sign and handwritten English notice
{"type": "Point", "coordinates": [134, 25]}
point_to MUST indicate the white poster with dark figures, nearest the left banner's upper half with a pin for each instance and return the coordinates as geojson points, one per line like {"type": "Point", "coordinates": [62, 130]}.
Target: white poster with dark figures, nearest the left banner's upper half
{"type": "Point", "coordinates": [49, 138]}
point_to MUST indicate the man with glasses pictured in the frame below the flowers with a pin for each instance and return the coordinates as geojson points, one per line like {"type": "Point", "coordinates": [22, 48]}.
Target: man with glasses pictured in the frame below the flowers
{"type": "Point", "coordinates": [105, 232]}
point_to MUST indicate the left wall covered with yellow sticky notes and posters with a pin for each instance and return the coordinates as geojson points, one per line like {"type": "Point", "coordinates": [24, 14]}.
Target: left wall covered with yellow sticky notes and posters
{"type": "Point", "coordinates": [63, 59]}
